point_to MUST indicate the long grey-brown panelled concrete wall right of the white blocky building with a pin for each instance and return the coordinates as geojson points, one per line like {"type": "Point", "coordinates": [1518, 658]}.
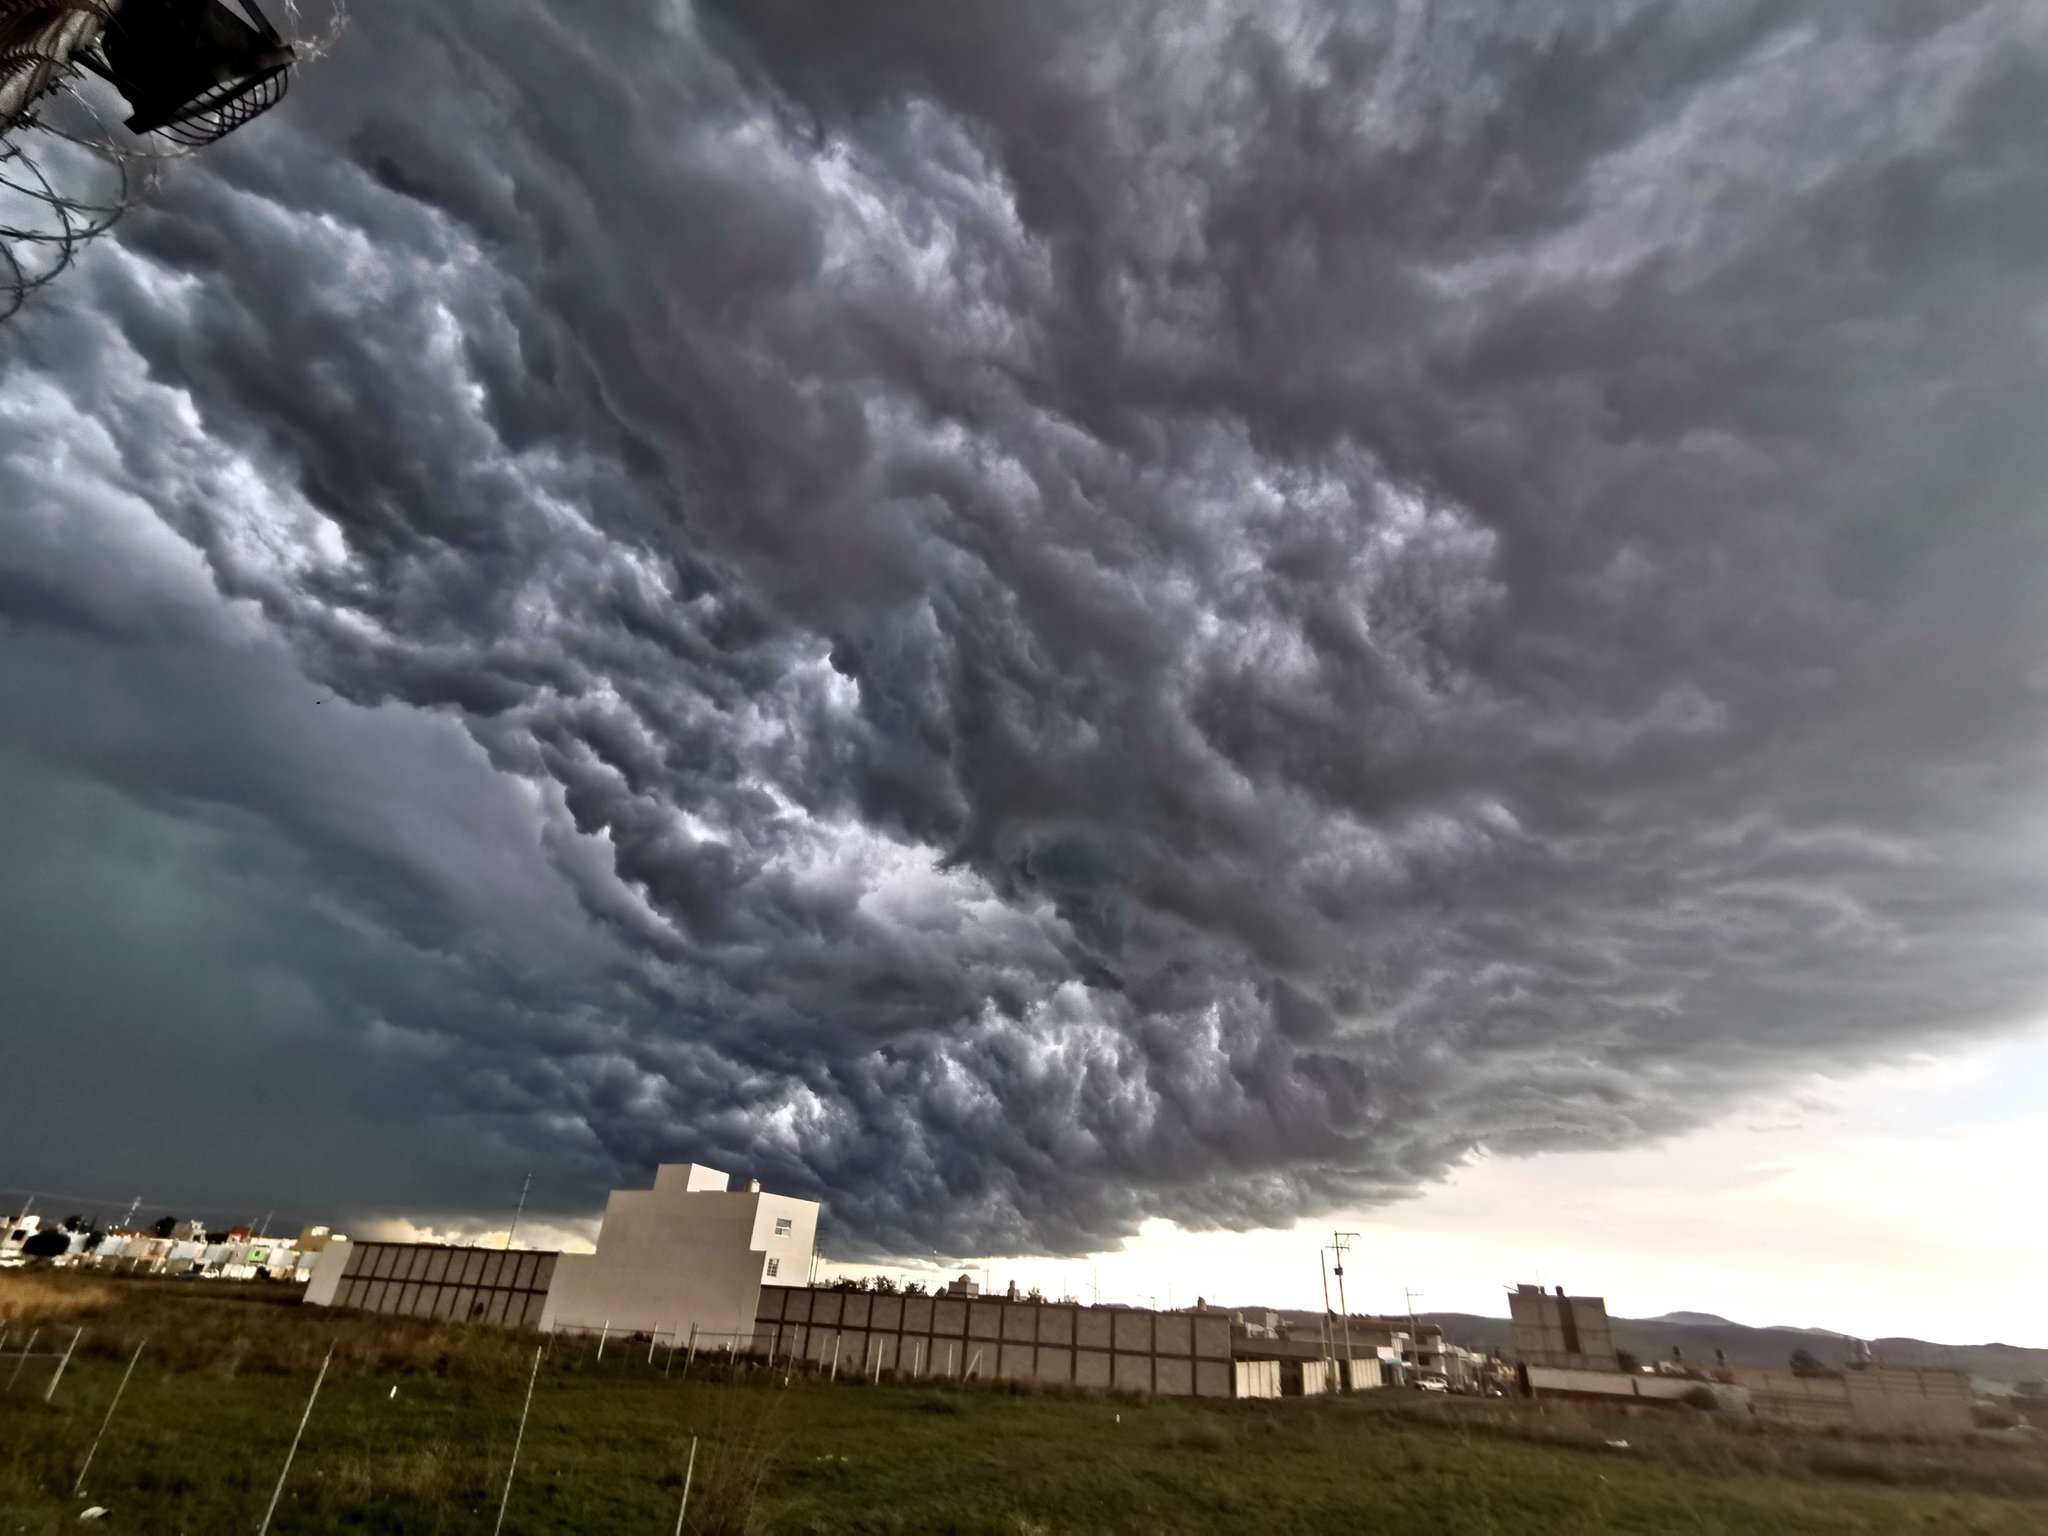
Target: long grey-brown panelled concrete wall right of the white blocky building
{"type": "Point", "coordinates": [990, 1338]}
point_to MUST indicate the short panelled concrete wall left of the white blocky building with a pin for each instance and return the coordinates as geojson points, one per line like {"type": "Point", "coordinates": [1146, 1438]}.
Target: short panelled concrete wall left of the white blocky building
{"type": "Point", "coordinates": [462, 1285]}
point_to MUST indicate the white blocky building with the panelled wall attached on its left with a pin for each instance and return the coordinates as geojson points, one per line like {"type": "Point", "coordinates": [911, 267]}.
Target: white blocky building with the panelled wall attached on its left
{"type": "Point", "coordinates": [685, 1256]}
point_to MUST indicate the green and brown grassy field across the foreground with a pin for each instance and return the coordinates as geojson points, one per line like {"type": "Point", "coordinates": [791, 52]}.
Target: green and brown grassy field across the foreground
{"type": "Point", "coordinates": [415, 1428]}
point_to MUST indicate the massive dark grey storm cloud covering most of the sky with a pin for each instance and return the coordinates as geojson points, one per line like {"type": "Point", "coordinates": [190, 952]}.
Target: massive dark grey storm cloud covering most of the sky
{"type": "Point", "coordinates": [1037, 615]}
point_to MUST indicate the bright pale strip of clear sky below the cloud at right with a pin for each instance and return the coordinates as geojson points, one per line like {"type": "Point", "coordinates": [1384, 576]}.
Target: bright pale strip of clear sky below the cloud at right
{"type": "Point", "coordinates": [1902, 1203]}
